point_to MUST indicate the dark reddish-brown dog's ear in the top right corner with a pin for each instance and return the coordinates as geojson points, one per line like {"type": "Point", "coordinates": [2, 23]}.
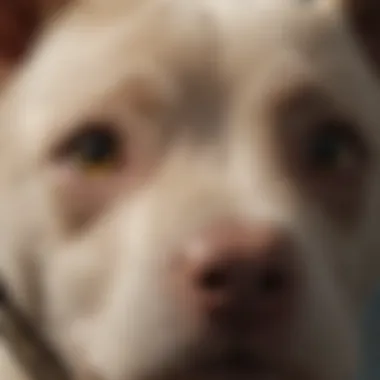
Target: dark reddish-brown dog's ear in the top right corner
{"type": "Point", "coordinates": [364, 19]}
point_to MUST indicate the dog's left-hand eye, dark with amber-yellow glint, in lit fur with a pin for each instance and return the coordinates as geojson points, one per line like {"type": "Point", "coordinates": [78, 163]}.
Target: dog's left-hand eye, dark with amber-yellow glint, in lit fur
{"type": "Point", "coordinates": [97, 148]}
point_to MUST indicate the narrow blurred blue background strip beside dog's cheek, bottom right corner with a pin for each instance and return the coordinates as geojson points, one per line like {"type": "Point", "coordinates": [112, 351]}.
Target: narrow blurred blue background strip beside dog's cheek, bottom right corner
{"type": "Point", "coordinates": [371, 341]}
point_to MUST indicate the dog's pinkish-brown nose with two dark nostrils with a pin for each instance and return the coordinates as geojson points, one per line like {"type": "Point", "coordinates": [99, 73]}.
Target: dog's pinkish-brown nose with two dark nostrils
{"type": "Point", "coordinates": [243, 277]}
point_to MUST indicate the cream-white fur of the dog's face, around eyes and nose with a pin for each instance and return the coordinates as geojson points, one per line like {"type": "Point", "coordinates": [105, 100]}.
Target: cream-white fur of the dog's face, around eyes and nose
{"type": "Point", "coordinates": [105, 297]}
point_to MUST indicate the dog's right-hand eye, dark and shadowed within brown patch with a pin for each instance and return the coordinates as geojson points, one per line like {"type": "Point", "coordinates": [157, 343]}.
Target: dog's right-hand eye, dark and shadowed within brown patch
{"type": "Point", "coordinates": [333, 146]}
